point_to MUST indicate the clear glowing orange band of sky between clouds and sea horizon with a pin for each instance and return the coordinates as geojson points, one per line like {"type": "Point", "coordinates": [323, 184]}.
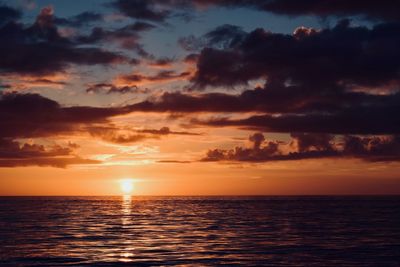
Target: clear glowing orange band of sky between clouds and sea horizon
{"type": "Point", "coordinates": [306, 177]}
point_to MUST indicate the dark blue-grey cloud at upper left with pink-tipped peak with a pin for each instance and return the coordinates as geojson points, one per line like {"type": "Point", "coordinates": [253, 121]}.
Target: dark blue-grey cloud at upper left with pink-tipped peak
{"type": "Point", "coordinates": [39, 49]}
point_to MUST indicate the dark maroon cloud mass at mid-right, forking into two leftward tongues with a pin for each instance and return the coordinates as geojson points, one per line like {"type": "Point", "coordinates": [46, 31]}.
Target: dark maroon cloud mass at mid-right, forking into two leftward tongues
{"type": "Point", "coordinates": [290, 109]}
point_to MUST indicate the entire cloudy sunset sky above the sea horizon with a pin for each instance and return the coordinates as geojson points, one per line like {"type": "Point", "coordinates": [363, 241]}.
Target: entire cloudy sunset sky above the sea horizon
{"type": "Point", "coordinates": [199, 97]}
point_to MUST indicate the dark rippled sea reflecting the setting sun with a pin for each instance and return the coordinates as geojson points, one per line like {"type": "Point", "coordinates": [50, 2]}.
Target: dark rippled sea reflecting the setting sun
{"type": "Point", "coordinates": [200, 231]}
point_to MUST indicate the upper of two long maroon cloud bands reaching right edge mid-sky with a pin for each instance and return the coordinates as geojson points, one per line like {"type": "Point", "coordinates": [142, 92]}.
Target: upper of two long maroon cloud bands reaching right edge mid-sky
{"type": "Point", "coordinates": [279, 99]}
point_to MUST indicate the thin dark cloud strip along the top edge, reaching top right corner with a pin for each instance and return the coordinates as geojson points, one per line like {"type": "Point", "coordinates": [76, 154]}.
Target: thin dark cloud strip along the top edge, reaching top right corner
{"type": "Point", "coordinates": [160, 10]}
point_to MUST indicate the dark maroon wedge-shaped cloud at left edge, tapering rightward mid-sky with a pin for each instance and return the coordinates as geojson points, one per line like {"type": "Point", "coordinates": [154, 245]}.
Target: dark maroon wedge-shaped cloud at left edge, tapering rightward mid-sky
{"type": "Point", "coordinates": [31, 115]}
